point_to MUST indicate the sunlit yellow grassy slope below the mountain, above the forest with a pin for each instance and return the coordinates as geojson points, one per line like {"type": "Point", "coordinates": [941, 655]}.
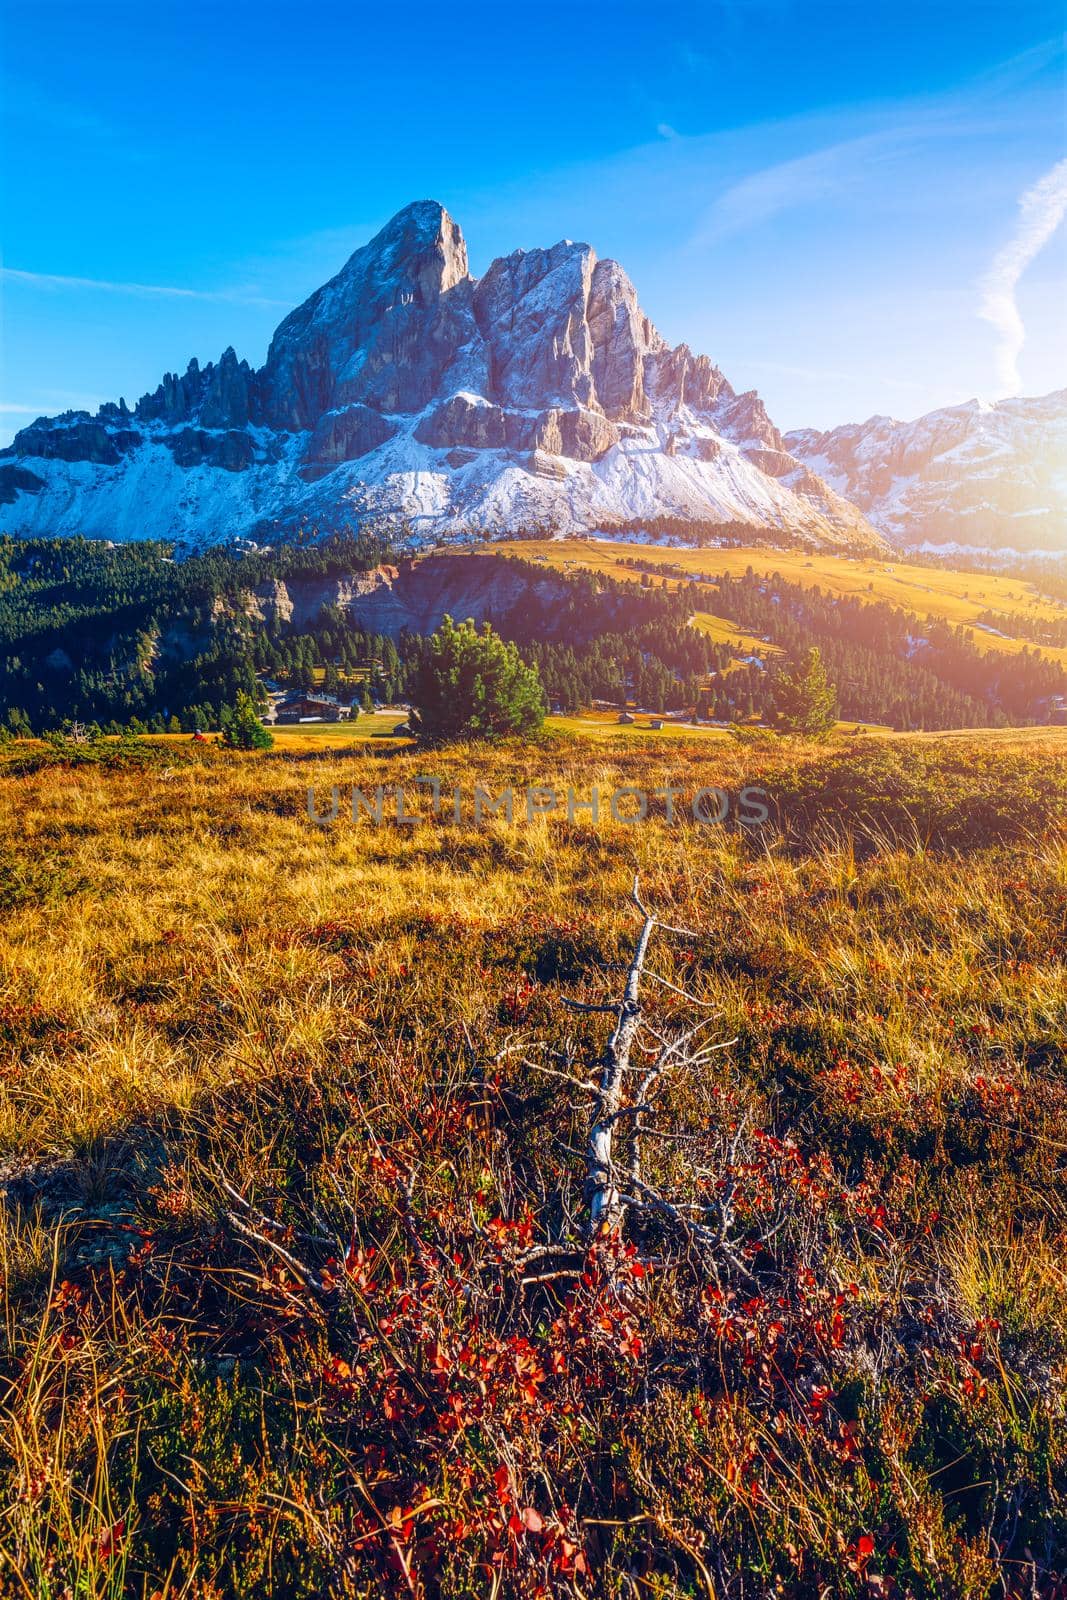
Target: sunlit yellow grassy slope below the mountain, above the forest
{"type": "Point", "coordinates": [930, 593]}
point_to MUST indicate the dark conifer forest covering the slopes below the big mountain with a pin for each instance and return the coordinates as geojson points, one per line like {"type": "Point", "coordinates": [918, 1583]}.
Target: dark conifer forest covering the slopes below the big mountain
{"type": "Point", "coordinates": [132, 639]}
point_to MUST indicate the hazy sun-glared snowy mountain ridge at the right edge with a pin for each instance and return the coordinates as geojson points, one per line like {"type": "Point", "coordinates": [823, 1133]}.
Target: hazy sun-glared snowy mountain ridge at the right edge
{"type": "Point", "coordinates": [977, 478]}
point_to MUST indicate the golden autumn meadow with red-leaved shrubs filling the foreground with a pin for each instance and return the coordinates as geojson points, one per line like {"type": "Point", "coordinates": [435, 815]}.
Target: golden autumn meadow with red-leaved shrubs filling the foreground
{"type": "Point", "coordinates": [297, 1292]}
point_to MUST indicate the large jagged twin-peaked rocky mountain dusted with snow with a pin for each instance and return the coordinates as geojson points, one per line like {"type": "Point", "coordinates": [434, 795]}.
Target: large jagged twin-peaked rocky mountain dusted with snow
{"type": "Point", "coordinates": [538, 396]}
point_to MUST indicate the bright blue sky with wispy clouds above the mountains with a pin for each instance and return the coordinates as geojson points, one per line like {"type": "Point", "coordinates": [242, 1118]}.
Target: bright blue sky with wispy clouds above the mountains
{"type": "Point", "coordinates": [826, 199]}
